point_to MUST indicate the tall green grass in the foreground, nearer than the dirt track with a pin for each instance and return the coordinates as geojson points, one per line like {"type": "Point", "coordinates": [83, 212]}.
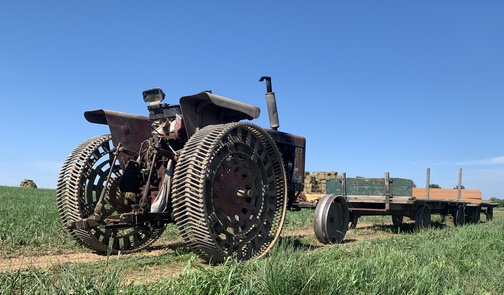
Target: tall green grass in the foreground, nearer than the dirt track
{"type": "Point", "coordinates": [462, 260]}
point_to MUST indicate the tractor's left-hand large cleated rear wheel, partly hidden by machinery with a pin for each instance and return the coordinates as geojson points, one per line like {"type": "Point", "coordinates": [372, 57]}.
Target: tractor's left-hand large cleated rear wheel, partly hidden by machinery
{"type": "Point", "coordinates": [80, 183]}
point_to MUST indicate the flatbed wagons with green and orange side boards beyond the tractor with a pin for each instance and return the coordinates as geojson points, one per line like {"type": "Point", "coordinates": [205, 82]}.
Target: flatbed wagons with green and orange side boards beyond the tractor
{"type": "Point", "coordinates": [398, 197]}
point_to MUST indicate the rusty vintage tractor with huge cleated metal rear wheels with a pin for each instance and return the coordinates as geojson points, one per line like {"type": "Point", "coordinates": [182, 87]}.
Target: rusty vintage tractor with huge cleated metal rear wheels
{"type": "Point", "coordinates": [225, 183]}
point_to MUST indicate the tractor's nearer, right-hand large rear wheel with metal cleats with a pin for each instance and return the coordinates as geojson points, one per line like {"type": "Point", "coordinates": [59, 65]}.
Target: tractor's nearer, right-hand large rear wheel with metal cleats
{"type": "Point", "coordinates": [229, 192]}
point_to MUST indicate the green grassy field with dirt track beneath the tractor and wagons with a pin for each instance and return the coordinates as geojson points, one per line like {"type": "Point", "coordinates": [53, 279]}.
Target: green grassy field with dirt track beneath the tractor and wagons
{"type": "Point", "coordinates": [37, 256]}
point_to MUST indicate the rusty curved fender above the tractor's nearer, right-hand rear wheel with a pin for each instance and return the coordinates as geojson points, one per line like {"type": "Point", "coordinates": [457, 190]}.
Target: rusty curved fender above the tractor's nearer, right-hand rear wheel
{"type": "Point", "coordinates": [205, 108]}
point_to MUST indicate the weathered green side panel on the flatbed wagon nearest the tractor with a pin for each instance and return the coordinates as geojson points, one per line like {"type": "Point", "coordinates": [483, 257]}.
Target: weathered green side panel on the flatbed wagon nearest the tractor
{"type": "Point", "coordinates": [370, 186]}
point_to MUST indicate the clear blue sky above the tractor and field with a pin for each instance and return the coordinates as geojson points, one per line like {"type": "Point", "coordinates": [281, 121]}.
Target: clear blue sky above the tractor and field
{"type": "Point", "coordinates": [374, 86]}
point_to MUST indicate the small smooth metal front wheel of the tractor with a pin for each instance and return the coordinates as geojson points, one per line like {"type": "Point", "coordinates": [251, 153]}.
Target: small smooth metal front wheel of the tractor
{"type": "Point", "coordinates": [331, 219]}
